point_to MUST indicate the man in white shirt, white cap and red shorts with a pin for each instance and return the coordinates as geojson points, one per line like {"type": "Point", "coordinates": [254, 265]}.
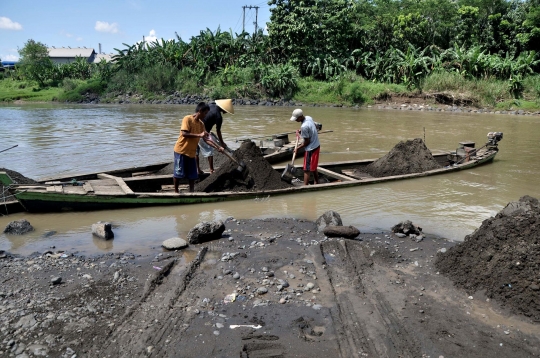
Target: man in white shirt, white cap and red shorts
{"type": "Point", "coordinates": [309, 133]}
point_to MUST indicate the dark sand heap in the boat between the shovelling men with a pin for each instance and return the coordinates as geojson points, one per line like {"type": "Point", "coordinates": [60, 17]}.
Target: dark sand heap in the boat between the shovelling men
{"type": "Point", "coordinates": [259, 173]}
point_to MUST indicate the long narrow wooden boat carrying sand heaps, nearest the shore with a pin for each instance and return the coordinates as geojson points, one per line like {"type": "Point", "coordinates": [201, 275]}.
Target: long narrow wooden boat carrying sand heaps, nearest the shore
{"type": "Point", "coordinates": [137, 187]}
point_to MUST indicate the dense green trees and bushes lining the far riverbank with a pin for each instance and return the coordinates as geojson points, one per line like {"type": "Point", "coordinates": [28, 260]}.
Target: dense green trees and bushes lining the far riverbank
{"type": "Point", "coordinates": [328, 51]}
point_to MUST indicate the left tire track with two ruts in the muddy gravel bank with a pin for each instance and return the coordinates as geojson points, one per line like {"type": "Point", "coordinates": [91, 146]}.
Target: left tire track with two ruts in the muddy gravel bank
{"type": "Point", "coordinates": [153, 321]}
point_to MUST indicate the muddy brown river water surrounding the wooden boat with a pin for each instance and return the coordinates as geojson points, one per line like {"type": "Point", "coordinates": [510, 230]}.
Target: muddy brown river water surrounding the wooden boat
{"type": "Point", "coordinates": [66, 139]}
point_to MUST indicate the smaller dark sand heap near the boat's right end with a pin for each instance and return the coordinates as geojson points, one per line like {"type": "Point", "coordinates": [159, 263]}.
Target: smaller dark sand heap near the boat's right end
{"type": "Point", "coordinates": [407, 157]}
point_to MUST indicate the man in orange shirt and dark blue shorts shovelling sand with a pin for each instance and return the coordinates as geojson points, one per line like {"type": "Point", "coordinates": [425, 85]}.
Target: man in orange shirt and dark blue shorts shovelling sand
{"type": "Point", "coordinates": [185, 149]}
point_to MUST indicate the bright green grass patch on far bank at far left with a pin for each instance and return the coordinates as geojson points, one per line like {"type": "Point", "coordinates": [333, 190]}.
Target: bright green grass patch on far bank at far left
{"type": "Point", "coordinates": [13, 90]}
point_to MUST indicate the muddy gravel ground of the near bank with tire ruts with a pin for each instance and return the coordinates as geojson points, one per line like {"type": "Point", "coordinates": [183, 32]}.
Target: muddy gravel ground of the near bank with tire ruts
{"type": "Point", "coordinates": [297, 295]}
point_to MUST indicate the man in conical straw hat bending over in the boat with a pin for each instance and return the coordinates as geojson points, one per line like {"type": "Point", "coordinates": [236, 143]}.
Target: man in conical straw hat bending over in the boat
{"type": "Point", "coordinates": [213, 118]}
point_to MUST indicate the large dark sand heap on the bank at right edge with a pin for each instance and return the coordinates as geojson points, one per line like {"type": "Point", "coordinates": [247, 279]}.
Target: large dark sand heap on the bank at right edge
{"type": "Point", "coordinates": [502, 257]}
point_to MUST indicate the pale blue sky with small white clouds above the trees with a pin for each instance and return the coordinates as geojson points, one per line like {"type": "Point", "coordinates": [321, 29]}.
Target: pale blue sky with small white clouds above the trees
{"type": "Point", "coordinates": [112, 23]}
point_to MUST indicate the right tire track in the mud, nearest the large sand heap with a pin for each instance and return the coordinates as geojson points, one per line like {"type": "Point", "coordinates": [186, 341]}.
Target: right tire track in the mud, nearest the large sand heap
{"type": "Point", "coordinates": [382, 334]}
